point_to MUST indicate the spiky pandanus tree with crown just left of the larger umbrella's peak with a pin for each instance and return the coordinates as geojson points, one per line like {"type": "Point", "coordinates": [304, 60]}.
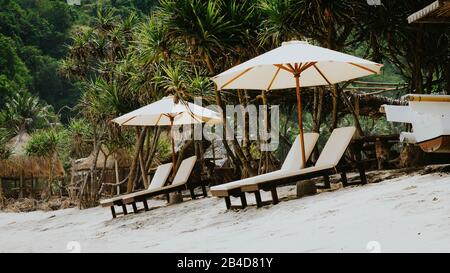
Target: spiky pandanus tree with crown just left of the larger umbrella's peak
{"type": "Point", "coordinates": [208, 33]}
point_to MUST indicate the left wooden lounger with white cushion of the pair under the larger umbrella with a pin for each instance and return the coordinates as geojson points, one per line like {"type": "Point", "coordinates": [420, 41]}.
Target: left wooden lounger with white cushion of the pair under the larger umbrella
{"type": "Point", "coordinates": [291, 163]}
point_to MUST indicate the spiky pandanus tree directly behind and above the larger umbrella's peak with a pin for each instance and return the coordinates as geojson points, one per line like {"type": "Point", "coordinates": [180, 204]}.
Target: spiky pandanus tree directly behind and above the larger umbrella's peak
{"type": "Point", "coordinates": [325, 22]}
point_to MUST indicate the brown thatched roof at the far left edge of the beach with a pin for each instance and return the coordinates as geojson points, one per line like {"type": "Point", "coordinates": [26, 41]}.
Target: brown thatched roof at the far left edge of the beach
{"type": "Point", "coordinates": [19, 164]}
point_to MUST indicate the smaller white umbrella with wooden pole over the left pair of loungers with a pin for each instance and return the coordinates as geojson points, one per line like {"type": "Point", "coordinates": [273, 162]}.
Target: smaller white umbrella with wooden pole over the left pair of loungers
{"type": "Point", "coordinates": [168, 112]}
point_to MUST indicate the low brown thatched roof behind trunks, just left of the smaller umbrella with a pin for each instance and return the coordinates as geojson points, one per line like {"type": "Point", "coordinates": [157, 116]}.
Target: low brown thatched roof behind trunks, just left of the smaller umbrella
{"type": "Point", "coordinates": [122, 156]}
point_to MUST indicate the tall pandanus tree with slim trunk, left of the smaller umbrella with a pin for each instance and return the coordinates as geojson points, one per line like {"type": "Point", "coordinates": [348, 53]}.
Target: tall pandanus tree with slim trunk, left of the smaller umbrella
{"type": "Point", "coordinates": [99, 57]}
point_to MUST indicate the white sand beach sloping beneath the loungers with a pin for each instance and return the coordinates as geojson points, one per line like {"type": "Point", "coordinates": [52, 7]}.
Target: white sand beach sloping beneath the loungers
{"type": "Point", "coordinates": [406, 214]}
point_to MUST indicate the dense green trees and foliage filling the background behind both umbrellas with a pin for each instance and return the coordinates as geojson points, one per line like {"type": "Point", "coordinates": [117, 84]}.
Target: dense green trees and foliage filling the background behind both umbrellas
{"type": "Point", "coordinates": [84, 65]}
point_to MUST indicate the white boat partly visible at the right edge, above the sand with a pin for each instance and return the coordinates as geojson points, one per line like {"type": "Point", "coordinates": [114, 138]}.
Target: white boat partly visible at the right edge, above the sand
{"type": "Point", "coordinates": [430, 119]}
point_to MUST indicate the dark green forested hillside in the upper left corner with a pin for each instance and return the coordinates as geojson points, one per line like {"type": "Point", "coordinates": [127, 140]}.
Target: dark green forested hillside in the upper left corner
{"type": "Point", "coordinates": [33, 35]}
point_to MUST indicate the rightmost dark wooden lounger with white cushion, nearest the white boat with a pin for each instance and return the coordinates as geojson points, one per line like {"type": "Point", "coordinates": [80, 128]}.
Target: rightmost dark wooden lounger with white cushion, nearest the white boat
{"type": "Point", "coordinates": [329, 162]}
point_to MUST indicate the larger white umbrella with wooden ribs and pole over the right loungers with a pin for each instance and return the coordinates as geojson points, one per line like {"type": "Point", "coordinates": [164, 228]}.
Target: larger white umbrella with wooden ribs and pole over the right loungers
{"type": "Point", "coordinates": [295, 64]}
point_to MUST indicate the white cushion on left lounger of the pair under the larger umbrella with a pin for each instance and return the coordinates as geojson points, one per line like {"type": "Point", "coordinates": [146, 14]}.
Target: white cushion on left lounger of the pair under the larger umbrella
{"type": "Point", "coordinates": [291, 163]}
